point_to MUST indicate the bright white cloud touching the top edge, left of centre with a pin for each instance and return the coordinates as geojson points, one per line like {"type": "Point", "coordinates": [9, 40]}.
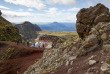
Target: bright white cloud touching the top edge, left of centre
{"type": "Point", "coordinates": [38, 4]}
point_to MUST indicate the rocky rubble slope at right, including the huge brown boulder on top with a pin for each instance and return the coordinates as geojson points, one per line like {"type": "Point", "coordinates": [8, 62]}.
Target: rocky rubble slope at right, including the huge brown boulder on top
{"type": "Point", "coordinates": [89, 54]}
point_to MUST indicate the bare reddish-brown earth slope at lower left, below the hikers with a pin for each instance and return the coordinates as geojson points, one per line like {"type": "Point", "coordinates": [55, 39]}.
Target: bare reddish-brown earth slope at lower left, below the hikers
{"type": "Point", "coordinates": [21, 58]}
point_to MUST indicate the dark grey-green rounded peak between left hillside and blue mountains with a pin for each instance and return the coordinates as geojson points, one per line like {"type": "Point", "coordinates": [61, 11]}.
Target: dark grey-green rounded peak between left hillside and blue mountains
{"type": "Point", "coordinates": [28, 30]}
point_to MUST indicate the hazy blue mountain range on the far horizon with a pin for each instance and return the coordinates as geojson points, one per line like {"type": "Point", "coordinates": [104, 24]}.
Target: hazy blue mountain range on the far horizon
{"type": "Point", "coordinates": [55, 26]}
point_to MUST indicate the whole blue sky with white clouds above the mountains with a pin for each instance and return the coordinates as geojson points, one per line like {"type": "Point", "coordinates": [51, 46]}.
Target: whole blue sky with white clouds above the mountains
{"type": "Point", "coordinates": [45, 10]}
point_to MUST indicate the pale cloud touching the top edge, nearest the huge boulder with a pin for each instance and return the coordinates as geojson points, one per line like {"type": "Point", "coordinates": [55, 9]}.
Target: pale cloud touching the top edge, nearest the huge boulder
{"type": "Point", "coordinates": [64, 2]}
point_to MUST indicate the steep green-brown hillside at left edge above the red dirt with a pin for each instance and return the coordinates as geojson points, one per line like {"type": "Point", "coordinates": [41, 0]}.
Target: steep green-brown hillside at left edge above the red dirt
{"type": "Point", "coordinates": [7, 31]}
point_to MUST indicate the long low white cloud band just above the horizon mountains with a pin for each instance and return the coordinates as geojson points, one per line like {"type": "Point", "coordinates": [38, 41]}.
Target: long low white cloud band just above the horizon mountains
{"type": "Point", "coordinates": [50, 15]}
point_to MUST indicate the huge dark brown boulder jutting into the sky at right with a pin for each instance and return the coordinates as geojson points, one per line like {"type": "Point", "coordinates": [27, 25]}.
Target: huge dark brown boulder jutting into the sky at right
{"type": "Point", "coordinates": [89, 17]}
